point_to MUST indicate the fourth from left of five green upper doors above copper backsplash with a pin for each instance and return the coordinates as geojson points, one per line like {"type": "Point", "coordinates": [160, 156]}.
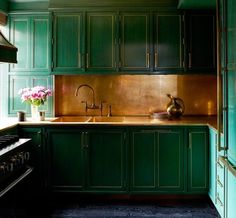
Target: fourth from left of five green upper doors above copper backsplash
{"type": "Point", "coordinates": [168, 42]}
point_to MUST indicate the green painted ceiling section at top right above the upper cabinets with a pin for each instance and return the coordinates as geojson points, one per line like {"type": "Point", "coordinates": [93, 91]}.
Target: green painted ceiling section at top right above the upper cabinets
{"type": "Point", "coordinates": [199, 4]}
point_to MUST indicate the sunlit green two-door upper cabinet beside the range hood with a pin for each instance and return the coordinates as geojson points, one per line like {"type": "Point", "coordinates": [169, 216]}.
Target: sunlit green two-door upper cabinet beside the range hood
{"type": "Point", "coordinates": [31, 35]}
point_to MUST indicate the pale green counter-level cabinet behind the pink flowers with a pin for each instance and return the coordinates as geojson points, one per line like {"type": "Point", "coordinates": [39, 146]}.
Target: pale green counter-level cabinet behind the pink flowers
{"type": "Point", "coordinates": [17, 82]}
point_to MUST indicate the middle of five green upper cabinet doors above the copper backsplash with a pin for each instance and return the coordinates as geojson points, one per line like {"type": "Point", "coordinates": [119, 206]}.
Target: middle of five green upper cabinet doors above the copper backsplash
{"type": "Point", "coordinates": [135, 43]}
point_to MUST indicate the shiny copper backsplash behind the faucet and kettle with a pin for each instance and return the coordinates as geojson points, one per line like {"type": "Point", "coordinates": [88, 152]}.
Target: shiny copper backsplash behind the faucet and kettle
{"type": "Point", "coordinates": [135, 94]}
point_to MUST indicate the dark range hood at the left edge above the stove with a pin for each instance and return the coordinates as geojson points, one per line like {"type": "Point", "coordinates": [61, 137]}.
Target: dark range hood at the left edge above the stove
{"type": "Point", "coordinates": [8, 51]}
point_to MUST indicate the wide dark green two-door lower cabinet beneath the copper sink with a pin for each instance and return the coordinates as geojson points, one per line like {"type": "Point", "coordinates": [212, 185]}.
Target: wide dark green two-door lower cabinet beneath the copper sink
{"type": "Point", "coordinates": [87, 160]}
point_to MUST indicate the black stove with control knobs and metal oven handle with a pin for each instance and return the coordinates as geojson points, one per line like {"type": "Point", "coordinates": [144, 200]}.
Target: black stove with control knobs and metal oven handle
{"type": "Point", "coordinates": [15, 158]}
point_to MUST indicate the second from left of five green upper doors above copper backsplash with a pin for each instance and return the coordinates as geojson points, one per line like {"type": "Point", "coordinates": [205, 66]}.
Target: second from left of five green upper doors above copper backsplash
{"type": "Point", "coordinates": [101, 39]}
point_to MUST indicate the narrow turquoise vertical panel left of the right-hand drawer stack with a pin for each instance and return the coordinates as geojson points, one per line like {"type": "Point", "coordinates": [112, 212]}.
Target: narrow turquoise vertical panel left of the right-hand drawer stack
{"type": "Point", "coordinates": [212, 164]}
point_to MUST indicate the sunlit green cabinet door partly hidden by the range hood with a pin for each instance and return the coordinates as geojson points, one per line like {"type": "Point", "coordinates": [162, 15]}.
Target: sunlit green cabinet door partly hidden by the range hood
{"type": "Point", "coordinates": [20, 37]}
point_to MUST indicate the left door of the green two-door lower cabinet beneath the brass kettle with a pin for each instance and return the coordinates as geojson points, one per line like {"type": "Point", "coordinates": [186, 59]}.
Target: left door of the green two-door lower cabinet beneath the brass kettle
{"type": "Point", "coordinates": [143, 160]}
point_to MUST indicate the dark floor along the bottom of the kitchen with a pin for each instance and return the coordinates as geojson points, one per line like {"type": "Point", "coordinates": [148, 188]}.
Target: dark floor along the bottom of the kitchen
{"type": "Point", "coordinates": [66, 207]}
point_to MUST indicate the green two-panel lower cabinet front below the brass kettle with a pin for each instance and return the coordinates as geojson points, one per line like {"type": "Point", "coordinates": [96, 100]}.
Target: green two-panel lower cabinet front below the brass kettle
{"type": "Point", "coordinates": [157, 160]}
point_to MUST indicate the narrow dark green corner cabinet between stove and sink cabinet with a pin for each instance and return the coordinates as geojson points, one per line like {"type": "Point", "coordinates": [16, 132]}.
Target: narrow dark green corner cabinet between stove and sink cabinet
{"type": "Point", "coordinates": [37, 158]}
